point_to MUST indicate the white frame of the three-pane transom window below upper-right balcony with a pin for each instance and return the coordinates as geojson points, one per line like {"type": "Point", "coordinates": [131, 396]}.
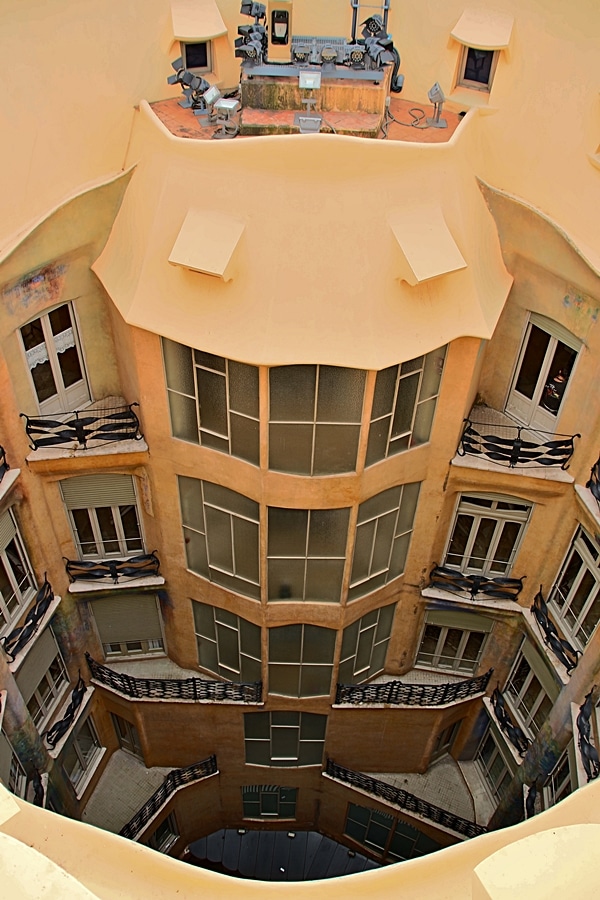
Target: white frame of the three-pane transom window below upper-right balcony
{"type": "Point", "coordinates": [501, 518]}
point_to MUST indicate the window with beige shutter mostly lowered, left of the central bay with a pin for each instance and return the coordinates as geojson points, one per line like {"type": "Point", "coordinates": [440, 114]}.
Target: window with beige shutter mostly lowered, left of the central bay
{"type": "Point", "coordinates": [128, 625]}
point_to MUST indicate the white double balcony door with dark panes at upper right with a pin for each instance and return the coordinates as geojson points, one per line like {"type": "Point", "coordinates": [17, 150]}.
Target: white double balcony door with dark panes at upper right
{"type": "Point", "coordinates": [542, 373]}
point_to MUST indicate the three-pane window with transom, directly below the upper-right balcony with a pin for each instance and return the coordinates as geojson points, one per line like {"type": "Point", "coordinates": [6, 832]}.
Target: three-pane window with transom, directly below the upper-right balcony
{"type": "Point", "coordinates": [487, 533]}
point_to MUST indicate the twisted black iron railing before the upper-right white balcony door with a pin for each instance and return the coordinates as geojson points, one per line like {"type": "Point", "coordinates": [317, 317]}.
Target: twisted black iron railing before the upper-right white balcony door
{"type": "Point", "coordinates": [506, 445]}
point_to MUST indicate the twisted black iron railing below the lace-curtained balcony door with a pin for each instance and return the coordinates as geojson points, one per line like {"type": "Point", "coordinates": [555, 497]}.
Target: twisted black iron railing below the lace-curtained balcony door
{"type": "Point", "coordinates": [98, 425]}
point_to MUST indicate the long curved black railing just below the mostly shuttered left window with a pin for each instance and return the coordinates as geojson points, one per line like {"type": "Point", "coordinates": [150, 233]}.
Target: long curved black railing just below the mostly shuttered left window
{"type": "Point", "coordinates": [174, 689]}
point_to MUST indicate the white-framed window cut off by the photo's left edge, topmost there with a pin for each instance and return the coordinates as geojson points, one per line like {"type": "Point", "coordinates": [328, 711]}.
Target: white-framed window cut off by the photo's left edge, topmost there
{"type": "Point", "coordinates": [17, 584]}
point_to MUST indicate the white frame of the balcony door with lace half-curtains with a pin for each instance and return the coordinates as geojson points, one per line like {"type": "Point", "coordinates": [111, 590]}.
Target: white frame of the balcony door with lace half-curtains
{"type": "Point", "coordinates": [66, 399]}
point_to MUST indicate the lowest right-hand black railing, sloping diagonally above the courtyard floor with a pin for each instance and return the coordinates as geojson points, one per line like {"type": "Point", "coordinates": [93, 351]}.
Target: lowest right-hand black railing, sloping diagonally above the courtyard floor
{"type": "Point", "coordinates": [404, 800]}
